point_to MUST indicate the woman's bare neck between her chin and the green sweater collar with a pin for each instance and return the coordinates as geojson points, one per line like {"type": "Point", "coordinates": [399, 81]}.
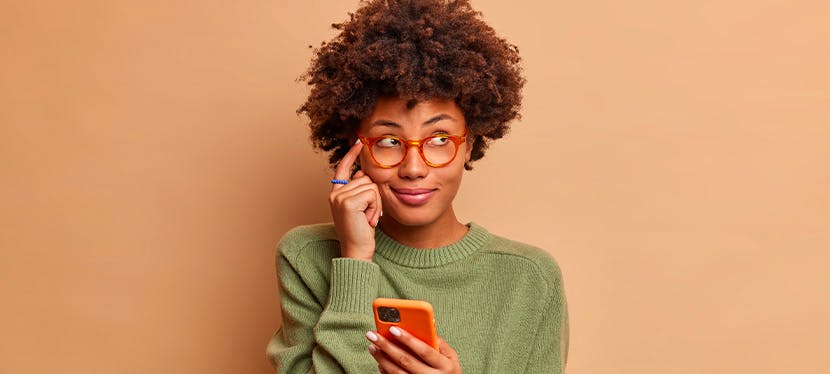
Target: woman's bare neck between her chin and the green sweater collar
{"type": "Point", "coordinates": [444, 231]}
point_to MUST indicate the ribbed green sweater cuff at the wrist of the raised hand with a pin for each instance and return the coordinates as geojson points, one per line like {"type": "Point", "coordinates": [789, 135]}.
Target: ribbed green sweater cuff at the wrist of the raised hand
{"type": "Point", "coordinates": [354, 285]}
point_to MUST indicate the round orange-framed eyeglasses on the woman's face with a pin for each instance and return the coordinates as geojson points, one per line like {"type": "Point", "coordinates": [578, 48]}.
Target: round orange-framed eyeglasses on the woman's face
{"type": "Point", "coordinates": [437, 151]}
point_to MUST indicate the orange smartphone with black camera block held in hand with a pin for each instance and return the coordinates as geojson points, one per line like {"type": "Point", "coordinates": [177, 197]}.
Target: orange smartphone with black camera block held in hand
{"type": "Point", "coordinates": [414, 316]}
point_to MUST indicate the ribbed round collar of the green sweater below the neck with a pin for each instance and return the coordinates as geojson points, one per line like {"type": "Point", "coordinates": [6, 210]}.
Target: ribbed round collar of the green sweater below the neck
{"type": "Point", "coordinates": [400, 254]}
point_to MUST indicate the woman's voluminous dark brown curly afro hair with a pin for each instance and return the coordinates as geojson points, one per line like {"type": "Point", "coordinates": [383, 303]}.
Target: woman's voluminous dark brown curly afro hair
{"type": "Point", "coordinates": [417, 50]}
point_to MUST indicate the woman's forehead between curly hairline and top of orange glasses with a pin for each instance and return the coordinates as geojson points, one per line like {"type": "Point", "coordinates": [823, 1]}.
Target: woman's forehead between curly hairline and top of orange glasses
{"type": "Point", "coordinates": [396, 112]}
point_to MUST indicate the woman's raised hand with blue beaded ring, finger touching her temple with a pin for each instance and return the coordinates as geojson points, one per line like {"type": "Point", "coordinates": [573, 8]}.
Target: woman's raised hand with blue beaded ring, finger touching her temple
{"type": "Point", "coordinates": [355, 208]}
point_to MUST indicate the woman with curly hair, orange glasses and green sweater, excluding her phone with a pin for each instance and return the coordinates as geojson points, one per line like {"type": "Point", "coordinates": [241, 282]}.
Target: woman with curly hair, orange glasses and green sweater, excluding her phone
{"type": "Point", "coordinates": [405, 98]}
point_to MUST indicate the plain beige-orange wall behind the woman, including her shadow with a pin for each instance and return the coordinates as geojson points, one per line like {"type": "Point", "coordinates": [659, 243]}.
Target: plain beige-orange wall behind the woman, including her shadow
{"type": "Point", "coordinates": [673, 156]}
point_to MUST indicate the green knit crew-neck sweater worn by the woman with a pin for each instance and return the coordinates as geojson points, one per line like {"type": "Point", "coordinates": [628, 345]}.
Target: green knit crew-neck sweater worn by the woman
{"type": "Point", "coordinates": [499, 303]}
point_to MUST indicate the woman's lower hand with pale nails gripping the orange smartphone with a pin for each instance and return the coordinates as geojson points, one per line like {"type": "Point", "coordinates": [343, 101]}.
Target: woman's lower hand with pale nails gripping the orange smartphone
{"type": "Point", "coordinates": [392, 357]}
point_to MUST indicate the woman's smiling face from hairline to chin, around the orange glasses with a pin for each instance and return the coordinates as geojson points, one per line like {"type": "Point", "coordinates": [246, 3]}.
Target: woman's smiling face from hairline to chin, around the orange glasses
{"type": "Point", "coordinates": [414, 193]}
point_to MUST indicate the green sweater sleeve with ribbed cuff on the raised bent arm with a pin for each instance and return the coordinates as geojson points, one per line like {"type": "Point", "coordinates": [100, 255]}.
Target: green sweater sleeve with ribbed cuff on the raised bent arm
{"type": "Point", "coordinates": [319, 333]}
